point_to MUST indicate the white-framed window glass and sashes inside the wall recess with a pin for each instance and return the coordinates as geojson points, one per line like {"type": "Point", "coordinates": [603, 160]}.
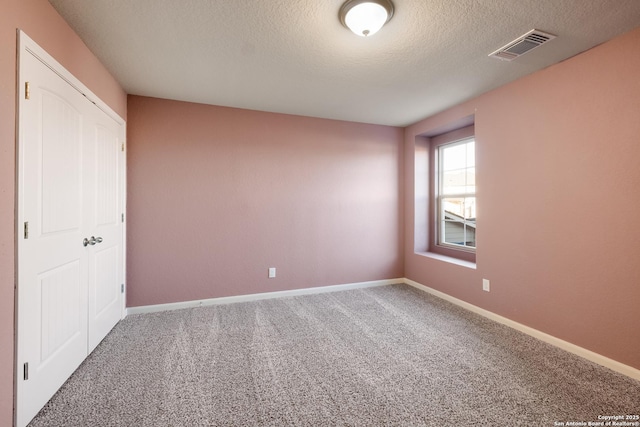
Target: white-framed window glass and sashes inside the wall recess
{"type": "Point", "coordinates": [456, 195]}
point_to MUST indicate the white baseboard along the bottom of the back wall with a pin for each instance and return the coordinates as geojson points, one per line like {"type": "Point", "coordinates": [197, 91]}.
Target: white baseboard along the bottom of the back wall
{"type": "Point", "coordinates": [255, 297]}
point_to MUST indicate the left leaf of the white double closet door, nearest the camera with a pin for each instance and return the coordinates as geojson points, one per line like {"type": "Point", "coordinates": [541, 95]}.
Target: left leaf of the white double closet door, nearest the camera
{"type": "Point", "coordinates": [53, 264]}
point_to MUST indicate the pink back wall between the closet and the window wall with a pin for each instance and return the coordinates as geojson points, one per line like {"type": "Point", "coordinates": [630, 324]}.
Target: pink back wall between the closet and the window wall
{"type": "Point", "coordinates": [218, 195]}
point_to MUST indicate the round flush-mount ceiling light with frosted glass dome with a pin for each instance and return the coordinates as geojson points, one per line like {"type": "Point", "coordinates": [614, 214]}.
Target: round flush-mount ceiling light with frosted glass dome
{"type": "Point", "coordinates": [365, 17]}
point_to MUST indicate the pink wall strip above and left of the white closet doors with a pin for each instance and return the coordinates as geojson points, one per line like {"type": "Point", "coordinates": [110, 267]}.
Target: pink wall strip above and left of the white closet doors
{"type": "Point", "coordinates": [40, 21]}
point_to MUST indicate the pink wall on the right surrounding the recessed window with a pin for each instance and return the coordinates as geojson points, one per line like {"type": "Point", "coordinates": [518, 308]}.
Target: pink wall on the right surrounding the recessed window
{"type": "Point", "coordinates": [558, 201]}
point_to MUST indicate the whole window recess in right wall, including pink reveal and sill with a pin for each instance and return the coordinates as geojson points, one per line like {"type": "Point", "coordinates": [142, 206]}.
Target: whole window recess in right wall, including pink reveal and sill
{"type": "Point", "coordinates": [445, 192]}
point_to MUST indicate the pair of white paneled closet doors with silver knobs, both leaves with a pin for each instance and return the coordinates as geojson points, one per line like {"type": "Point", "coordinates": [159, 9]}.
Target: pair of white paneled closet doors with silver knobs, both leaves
{"type": "Point", "coordinates": [70, 242]}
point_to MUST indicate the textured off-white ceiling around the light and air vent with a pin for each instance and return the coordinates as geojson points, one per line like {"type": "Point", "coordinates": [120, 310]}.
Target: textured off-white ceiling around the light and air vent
{"type": "Point", "coordinates": [295, 57]}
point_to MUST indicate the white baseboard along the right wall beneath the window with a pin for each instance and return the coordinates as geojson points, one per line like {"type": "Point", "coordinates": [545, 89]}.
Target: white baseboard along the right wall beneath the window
{"type": "Point", "coordinates": [550, 339]}
